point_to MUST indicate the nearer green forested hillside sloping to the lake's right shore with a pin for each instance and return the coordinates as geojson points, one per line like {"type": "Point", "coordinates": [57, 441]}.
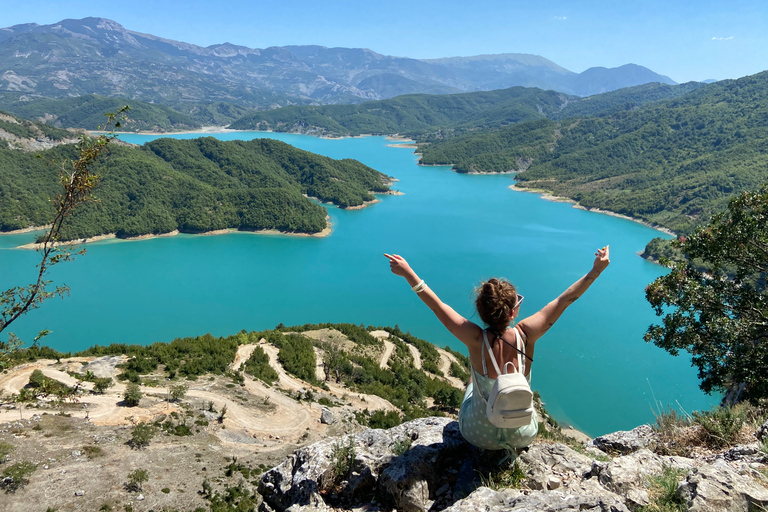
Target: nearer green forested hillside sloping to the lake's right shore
{"type": "Point", "coordinates": [671, 162]}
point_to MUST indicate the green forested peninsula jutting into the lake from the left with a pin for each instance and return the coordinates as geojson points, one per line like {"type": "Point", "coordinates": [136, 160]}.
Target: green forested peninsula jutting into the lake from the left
{"type": "Point", "coordinates": [191, 185]}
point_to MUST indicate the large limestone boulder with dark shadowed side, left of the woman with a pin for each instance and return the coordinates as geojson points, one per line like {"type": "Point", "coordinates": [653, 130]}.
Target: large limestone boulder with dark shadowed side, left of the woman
{"type": "Point", "coordinates": [408, 480]}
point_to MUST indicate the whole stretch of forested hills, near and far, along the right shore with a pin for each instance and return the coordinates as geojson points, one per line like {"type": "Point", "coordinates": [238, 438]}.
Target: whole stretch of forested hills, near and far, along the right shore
{"type": "Point", "coordinates": [667, 155]}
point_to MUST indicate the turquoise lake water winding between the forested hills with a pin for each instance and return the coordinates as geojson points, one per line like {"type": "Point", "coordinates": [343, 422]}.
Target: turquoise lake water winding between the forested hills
{"type": "Point", "coordinates": [593, 369]}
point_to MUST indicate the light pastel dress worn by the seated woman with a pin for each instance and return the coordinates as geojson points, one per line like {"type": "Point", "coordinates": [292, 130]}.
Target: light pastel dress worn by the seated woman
{"type": "Point", "coordinates": [478, 430]}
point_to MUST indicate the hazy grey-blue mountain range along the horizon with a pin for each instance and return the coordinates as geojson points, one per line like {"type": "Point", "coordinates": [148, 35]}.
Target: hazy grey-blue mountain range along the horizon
{"type": "Point", "coordinates": [100, 56]}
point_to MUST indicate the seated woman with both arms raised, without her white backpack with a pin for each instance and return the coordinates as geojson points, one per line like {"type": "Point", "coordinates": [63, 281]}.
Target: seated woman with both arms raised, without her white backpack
{"type": "Point", "coordinates": [498, 304]}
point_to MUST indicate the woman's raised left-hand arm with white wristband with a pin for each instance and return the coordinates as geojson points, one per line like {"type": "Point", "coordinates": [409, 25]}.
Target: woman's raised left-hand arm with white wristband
{"type": "Point", "coordinates": [467, 332]}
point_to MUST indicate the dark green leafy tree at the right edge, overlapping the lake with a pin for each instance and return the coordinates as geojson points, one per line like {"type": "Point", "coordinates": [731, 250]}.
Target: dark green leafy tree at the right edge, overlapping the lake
{"type": "Point", "coordinates": [715, 304]}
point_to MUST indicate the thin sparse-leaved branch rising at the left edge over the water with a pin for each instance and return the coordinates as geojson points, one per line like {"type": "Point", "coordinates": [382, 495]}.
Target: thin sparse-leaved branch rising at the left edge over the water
{"type": "Point", "coordinates": [77, 182]}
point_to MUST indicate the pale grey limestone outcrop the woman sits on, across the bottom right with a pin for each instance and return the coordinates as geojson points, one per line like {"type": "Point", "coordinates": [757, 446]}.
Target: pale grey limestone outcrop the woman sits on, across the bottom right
{"type": "Point", "coordinates": [425, 465]}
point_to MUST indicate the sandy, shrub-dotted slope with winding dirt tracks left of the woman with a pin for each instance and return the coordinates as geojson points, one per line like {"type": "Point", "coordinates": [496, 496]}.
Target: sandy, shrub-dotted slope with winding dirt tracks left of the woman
{"type": "Point", "coordinates": [257, 396]}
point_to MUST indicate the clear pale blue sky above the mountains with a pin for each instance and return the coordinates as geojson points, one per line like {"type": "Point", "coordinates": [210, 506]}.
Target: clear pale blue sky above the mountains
{"type": "Point", "coordinates": [685, 40]}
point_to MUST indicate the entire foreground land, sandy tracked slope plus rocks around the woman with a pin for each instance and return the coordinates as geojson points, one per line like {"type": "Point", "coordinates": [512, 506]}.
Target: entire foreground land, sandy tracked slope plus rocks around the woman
{"type": "Point", "coordinates": [309, 418]}
